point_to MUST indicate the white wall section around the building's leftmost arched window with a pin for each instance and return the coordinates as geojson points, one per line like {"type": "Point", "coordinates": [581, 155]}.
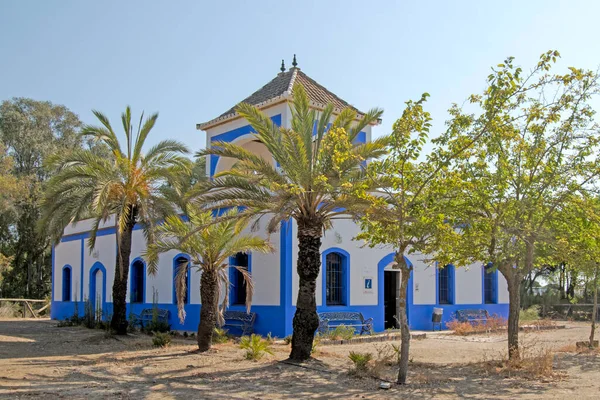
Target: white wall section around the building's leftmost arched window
{"type": "Point", "coordinates": [67, 253]}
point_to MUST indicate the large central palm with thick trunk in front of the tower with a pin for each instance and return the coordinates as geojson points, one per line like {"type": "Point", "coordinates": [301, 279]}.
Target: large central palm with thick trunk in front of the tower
{"type": "Point", "coordinates": [313, 183]}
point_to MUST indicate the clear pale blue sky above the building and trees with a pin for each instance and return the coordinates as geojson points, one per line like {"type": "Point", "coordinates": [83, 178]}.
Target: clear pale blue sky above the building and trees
{"type": "Point", "coordinates": [192, 60]}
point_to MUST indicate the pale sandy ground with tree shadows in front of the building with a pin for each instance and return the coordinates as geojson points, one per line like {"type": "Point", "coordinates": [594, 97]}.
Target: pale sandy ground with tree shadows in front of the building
{"type": "Point", "coordinates": [39, 359]}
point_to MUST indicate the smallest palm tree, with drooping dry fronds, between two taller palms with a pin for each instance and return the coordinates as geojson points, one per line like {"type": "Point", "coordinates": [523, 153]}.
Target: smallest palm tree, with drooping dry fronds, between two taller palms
{"type": "Point", "coordinates": [209, 244]}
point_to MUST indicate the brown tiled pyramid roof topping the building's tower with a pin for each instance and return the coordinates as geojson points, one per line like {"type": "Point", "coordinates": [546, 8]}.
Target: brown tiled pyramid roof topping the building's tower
{"type": "Point", "coordinates": [281, 87]}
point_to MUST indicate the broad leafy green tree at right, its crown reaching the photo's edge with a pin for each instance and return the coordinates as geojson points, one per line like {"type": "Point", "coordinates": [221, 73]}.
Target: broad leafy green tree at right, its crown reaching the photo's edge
{"type": "Point", "coordinates": [540, 149]}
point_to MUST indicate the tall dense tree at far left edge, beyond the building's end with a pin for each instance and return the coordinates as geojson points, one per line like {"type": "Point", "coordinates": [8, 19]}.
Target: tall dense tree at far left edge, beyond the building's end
{"type": "Point", "coordinates": [30, 131]}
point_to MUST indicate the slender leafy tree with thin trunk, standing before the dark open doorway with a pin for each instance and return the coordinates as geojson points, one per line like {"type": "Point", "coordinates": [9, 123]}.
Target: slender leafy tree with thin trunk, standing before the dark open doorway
{"type": "Point", "coordinates": [407, 212]}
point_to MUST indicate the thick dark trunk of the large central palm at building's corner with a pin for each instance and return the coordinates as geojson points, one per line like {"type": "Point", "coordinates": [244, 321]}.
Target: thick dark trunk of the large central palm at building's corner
{"type": "Point", "coordinates": [306, 320]}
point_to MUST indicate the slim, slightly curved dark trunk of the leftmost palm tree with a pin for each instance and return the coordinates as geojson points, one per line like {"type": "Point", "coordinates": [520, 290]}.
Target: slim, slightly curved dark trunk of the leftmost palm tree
{"type": "Point", "coordinates": [119, 319]}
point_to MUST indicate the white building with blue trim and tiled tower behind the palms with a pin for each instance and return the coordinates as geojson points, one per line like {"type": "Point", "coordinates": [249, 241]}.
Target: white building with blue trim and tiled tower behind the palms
{"type": "Point", "coordinates": [353, 277]}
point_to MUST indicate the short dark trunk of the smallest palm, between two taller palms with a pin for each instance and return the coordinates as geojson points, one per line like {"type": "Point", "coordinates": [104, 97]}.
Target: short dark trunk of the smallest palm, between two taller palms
{"type": "Point", "coordinates": [209, 295]}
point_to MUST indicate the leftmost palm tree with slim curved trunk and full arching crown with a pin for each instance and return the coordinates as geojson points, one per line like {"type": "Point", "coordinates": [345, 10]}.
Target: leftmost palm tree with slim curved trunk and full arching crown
{"type": "Point", "coordinates": [126, 186]}
